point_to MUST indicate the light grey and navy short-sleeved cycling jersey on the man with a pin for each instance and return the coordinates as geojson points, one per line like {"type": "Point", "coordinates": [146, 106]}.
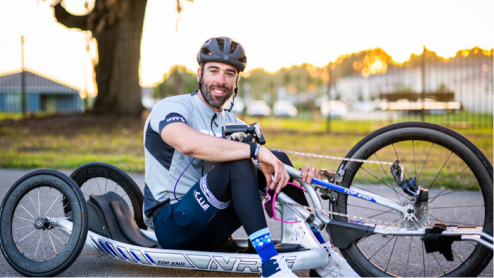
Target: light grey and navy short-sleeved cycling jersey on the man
{"type": "Point", "coordinates": [163, 164]}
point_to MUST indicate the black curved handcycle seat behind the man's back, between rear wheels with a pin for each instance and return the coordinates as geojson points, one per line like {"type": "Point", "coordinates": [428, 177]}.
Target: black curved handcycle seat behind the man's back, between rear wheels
{"type": "Point", "coordinates": [110, 216]}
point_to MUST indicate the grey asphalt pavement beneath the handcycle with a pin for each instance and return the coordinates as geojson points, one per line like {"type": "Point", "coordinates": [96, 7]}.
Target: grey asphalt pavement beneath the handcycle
{"type": "Point", "coordinates": [91, 264]}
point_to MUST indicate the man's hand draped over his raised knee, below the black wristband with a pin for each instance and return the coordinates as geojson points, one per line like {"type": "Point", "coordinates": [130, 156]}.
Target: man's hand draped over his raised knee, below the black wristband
{"type": "Point", "coordinates": [270, 164]}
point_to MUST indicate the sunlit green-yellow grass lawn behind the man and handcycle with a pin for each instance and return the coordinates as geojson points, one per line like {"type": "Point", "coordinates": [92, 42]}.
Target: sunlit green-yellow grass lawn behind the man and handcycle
{"type": "Point", "coordinates": [66, 142]}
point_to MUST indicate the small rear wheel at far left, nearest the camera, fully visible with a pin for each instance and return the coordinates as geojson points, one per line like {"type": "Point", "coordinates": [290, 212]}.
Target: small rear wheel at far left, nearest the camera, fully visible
{"type": "Point", "coordinates": [36, 198]}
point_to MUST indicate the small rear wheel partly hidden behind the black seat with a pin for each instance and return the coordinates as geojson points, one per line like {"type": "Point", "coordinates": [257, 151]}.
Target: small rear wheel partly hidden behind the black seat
{"type": "Point", "coordinates": [99, 178]}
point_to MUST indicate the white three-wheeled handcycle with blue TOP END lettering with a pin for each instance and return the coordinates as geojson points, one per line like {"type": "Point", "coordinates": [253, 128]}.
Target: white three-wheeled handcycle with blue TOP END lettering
{"type": "Point", "coordinates": [411, 199]}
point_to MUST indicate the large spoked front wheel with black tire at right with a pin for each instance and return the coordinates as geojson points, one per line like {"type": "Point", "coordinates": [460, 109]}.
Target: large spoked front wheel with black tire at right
{"type": "Point", "coordinates": [460, 183]}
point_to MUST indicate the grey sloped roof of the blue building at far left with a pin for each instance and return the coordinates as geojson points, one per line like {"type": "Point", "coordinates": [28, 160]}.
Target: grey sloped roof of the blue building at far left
{"type": "Point", "coordinates": [34, 83]}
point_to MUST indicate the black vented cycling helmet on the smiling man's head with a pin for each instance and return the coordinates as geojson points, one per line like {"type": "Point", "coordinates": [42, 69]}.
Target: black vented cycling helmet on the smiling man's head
{"type": "Point", "coordinates": [223, 50]}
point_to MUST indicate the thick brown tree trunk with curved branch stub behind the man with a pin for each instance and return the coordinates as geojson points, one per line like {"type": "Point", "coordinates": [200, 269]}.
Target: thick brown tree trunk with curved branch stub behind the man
{"type": "Point", "coordinates": [117, 28]}
